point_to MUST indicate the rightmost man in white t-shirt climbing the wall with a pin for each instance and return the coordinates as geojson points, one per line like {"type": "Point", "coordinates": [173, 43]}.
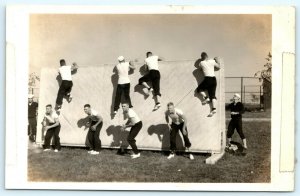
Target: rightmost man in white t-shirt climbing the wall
{"type": "Point", "coordinates": [209, 83]}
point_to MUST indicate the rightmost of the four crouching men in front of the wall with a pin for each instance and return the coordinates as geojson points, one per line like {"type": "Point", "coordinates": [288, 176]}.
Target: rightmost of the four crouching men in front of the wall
{"type": "Point", "coordinates": [179, 122]}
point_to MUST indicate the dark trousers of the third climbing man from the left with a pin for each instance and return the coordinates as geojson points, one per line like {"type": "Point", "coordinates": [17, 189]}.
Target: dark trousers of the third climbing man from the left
{"type": "Point", "coordinates": [154, 77]}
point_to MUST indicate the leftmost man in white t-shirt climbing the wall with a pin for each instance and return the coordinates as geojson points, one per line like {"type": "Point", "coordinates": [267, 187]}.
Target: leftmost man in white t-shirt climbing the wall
{"type": "Point", "coordinates": [65, 87]}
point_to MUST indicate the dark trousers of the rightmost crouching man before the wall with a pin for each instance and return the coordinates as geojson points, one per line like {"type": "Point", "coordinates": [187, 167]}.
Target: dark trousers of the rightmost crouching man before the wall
{"type": "Point", "coordinates": [173, 134]}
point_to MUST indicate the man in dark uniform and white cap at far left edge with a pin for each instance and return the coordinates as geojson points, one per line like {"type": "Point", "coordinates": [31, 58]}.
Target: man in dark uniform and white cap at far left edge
{"type": "Point", "coordinates": [32, 113]}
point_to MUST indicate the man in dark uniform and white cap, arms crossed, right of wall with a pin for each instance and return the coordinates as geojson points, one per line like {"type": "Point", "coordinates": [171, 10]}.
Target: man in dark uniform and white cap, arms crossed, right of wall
{"type": "Point", "coordinates": [237, 109]}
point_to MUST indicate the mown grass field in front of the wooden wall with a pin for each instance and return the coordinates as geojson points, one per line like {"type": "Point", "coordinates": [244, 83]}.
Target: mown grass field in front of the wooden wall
{"type": "Point", "coordinates": [76, 165]}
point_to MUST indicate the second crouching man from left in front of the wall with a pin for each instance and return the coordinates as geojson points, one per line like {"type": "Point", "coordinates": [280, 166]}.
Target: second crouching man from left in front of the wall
{"type": "Point", "coordinates": [95, 124]}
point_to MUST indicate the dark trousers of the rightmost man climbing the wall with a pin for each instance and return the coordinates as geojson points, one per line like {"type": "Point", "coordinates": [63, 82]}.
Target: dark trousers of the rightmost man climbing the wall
{"type": "Point", "coordinates": [209, 84]}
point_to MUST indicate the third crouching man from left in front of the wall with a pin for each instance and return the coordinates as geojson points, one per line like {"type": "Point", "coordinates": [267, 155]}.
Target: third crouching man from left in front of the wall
{"type": "Point", "coordinates": [136, 125]}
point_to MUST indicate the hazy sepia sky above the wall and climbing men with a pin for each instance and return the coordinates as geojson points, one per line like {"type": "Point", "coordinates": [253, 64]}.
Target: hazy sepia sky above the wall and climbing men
{"type": "Point", "coordinates": [243, 41]}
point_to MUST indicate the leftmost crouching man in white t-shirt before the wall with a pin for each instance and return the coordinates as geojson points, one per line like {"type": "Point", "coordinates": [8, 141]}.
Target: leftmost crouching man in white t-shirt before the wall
{"type": "Point", "coordinates": [51, 127]}
